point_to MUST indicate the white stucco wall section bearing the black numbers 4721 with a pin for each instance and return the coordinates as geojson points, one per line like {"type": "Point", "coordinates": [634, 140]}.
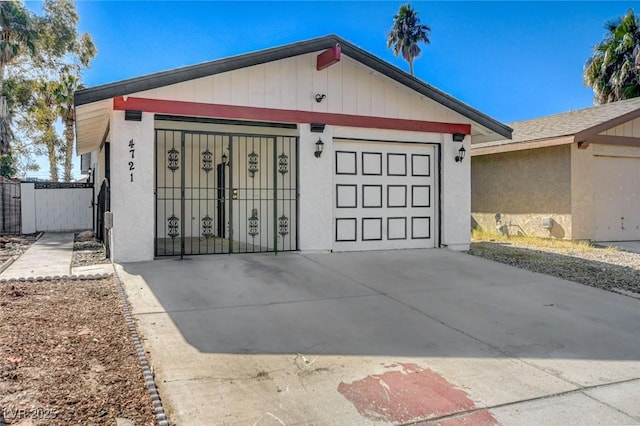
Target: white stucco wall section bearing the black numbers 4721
{"type": "Point", "coordinates": [132, 202]}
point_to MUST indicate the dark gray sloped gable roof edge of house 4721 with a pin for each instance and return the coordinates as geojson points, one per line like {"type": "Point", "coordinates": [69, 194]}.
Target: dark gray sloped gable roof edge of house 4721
{"type": "Point", "coordinates": [165, 78]}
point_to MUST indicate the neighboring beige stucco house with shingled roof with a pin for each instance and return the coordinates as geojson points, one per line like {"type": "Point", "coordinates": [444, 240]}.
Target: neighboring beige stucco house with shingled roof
{"type": "Point", "coordinates": [574, 175]}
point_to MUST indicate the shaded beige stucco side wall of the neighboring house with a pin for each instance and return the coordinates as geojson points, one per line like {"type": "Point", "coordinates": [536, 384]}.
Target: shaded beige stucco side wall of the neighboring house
{"type": "Point", "coordinates": [523, 187]}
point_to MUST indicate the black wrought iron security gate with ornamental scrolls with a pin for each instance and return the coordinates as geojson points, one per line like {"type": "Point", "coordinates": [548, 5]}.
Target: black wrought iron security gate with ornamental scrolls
{"type": "Point", "coordinates": [225, 193]}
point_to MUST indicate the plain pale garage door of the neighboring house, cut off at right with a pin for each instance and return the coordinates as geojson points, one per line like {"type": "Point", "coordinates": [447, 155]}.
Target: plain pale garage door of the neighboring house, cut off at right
{"type": "Point", "coordinates": [617, 198]}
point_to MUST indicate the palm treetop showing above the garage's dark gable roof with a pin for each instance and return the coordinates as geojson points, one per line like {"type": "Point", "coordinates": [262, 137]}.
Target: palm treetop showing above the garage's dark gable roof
{"type": "Point", "coordinates": [406, 33]}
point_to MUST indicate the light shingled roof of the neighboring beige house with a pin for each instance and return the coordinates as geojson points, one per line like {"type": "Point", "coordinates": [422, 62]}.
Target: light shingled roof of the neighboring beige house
{"type": "Point", "coordinates": [580, 123]}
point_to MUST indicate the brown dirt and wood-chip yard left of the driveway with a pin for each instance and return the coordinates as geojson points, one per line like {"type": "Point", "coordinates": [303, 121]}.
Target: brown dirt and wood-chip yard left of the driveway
{"type": "Point", "coordinates": [66, 356]}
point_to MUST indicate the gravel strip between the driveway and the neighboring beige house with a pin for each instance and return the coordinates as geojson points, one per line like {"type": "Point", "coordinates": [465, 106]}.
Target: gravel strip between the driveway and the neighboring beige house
{"type": "Point", "coordinates": [604, 268]}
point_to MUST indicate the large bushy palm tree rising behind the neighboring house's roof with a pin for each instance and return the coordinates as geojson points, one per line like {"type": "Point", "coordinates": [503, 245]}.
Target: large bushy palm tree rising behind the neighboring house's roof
{"type": "Point", "coordinates": [613, 71]}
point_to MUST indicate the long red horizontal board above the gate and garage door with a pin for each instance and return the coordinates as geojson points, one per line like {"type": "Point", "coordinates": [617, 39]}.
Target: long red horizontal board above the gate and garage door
{"type": "Point", "coordinates": [161, 106]}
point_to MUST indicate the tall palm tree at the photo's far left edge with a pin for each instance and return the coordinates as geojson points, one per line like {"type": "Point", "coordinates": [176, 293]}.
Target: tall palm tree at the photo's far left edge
{"type": "Point", "coordinates": [16, 36]}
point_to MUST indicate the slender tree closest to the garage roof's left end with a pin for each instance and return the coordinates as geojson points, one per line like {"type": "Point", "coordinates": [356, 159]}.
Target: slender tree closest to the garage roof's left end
{"type": "Point", "coordinates": [69, 83]}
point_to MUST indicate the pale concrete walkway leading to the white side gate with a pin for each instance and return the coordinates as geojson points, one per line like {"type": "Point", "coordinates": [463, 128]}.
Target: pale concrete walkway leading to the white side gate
{"type": "Point", "coordinates": [48, 257]}
